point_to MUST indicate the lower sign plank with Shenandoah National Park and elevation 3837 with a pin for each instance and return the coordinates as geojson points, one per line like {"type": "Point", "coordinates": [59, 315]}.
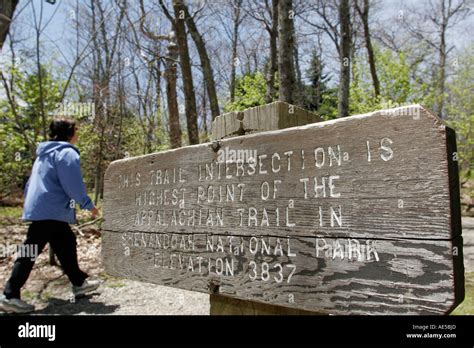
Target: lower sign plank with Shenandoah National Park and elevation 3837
{"type": "Point", "coordinates": [411, 276]}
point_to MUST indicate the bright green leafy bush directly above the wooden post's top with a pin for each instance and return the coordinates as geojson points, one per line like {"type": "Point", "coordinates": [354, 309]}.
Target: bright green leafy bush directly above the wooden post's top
{"type": "Point", "coordinates": [250, 91]}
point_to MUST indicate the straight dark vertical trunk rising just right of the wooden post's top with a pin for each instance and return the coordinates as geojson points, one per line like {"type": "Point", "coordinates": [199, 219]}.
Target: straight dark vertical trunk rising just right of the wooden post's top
{"type": "Point", "coordinates": [345, 58]}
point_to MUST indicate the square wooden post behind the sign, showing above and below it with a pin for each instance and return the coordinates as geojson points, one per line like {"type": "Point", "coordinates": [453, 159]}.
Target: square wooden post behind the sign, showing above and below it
{"type": "Point", "coordinates": [277, 115]}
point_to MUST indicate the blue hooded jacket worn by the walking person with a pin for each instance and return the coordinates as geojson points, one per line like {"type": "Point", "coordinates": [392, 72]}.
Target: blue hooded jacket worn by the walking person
{"type": "Point", "coordinates": [55, 185]}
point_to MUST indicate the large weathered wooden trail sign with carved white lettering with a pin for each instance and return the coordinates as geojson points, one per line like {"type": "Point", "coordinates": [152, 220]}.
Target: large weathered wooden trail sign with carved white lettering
{"type": "Point", "coordinates": [351, 216]}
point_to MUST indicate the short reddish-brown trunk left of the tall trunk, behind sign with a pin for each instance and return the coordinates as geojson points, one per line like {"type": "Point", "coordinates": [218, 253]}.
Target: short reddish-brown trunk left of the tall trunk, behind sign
{"type": "Point", "coordinates": [171, 95]}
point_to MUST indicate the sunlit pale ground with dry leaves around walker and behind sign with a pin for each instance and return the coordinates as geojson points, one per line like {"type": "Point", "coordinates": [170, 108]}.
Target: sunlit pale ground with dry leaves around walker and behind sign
{"type": "Point", "coordinates": [49, 289]}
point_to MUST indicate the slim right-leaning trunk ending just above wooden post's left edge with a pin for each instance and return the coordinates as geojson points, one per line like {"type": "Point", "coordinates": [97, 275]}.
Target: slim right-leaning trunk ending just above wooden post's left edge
{"type": "Point", "coordinates": [205, 63]}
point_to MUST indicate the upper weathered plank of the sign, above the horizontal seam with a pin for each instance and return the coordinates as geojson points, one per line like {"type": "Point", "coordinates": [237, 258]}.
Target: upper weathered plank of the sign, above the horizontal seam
{"type": "Point", "coordinates": [405, 197]}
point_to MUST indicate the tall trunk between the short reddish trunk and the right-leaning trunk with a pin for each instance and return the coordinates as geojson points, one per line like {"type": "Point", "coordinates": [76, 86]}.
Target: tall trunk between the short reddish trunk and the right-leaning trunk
{"type": "Point", "coordinates": [188, 85]}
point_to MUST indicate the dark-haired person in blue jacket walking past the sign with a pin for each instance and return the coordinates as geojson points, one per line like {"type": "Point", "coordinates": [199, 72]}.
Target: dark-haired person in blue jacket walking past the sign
{"type": "Point", "coordinates": [51, 194]}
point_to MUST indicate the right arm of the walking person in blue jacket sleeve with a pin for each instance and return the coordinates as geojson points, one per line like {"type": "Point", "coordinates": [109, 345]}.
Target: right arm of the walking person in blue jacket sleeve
{"type": "Point", "coordinates": [69, 172]}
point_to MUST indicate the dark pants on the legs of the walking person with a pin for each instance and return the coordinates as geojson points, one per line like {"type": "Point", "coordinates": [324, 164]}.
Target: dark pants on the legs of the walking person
{"type": "Point", "coordinates": [63, 242]}
